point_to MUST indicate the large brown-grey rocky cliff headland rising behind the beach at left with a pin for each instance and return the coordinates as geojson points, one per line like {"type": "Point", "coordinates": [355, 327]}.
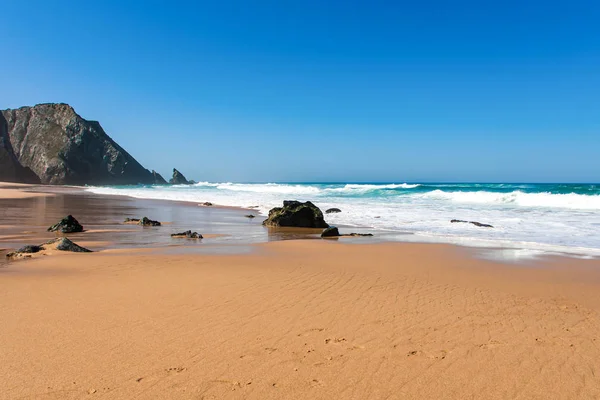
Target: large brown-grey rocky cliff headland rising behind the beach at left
{"type": "Point", "coordinates": [59, 147]}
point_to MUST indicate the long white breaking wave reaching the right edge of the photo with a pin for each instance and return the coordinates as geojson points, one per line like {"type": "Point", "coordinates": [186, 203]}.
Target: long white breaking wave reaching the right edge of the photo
{"type": "Point", "coordinates": [519, 198]}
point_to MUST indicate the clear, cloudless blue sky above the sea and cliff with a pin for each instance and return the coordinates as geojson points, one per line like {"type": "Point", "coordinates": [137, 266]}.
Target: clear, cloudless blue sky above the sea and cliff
{"type": "Point", "coordinates": [322, 91]}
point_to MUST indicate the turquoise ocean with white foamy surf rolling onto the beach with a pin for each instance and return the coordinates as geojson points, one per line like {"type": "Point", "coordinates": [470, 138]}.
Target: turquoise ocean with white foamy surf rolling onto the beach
{"type": "Point", "coordinates": [535, 218]}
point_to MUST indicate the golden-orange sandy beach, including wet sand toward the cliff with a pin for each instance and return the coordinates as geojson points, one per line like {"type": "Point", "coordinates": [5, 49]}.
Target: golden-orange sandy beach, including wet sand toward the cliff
{"type": "Point", "coordinates": [287, 319]}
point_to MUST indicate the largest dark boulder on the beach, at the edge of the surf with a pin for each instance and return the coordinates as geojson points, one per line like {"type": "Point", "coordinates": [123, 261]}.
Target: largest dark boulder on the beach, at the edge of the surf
{"type": "Point", "coordinates": [296, 214]}
